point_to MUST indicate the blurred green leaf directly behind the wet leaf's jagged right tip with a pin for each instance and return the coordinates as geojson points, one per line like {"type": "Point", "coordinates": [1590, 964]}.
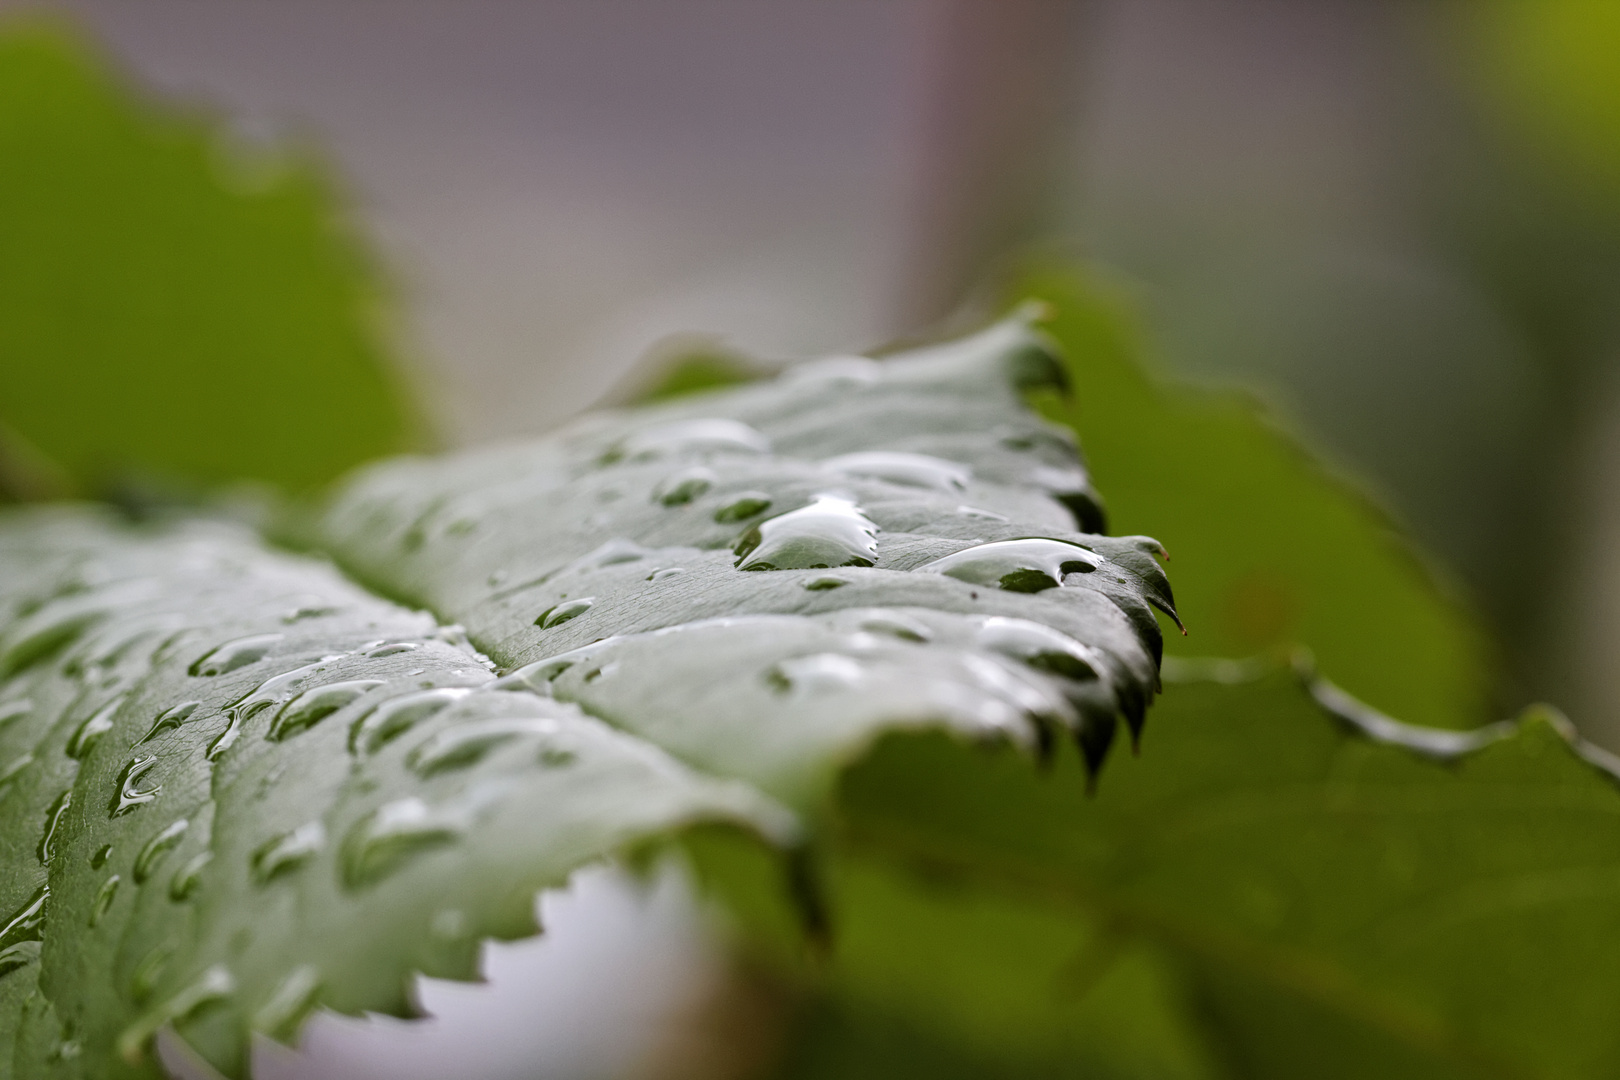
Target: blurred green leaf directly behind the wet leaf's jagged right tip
{"type": "Point", "coordinates": [1269, 548]}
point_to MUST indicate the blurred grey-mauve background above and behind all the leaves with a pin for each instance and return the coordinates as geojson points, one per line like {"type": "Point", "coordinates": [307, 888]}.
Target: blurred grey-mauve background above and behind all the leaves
{"type": "Point", "coordinates": [1397, 223]}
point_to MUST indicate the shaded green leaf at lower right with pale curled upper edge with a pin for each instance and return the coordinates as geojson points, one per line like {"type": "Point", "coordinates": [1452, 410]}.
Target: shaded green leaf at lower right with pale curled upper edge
{"type": "Point", "coordinates": [1331, 893]}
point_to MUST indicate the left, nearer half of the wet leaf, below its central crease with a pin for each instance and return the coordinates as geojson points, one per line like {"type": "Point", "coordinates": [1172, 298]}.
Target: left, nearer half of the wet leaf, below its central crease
{"type": "Point", "coordinates": [237, 788]}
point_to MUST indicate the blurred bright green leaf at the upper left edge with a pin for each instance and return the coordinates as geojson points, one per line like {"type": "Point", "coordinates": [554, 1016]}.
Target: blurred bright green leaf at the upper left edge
{"type": "Point", "coordinates": [173, 308]}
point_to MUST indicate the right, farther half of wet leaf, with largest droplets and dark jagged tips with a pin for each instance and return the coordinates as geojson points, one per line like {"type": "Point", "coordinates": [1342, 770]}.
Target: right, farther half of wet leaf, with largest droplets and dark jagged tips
{"type": "Point", "coordinates": [913, 535]}
